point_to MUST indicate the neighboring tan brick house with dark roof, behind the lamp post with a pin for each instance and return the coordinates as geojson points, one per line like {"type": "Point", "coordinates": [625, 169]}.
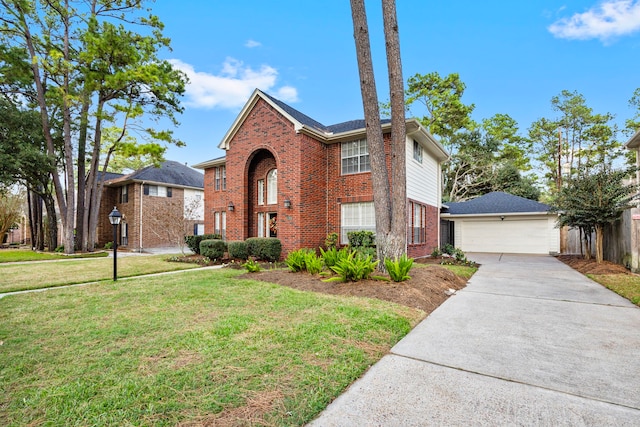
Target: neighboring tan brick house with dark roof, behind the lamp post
{"type": "Point", "coordinates": [159, 206]}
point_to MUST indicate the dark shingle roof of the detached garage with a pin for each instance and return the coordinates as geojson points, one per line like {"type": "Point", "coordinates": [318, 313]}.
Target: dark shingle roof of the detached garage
{"type": "Point", "coordinates": [496, 202]}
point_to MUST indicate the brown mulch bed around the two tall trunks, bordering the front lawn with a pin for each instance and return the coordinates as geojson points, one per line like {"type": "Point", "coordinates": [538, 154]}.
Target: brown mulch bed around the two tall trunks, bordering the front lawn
{"type": "Point", "coordinates": [428, 287]}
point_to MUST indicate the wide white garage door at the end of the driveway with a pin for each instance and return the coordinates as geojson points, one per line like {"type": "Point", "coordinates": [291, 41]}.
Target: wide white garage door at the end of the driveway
{"type": "Point", "coordinates": [509, 236]}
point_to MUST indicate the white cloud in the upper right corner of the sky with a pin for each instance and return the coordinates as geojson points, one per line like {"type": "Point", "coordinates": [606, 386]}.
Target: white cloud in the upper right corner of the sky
{"type": "Point", "coordinates": [610, 19]}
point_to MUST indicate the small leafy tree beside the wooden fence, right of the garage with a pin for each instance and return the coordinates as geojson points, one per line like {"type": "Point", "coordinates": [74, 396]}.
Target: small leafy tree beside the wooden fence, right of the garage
{"type": "Point", "coordinates": [589, 201]}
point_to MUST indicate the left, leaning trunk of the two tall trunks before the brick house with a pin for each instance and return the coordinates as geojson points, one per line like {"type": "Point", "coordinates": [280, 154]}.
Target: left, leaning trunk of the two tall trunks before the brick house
{"type": "Point", "coordinates": [375, 141]}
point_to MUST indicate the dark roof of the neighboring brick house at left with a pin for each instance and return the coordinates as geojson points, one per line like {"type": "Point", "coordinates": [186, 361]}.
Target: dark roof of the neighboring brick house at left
{"type": "Point", "coordinates": [169, 172]}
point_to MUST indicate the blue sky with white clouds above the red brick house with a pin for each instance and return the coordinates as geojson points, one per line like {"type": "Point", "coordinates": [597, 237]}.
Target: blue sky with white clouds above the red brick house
{"type": "Point", "coordinates": [513, 56]}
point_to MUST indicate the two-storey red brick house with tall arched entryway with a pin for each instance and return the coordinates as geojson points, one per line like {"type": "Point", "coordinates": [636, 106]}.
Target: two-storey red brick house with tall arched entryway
{"type": "Point", "coordinates": [288, 176]}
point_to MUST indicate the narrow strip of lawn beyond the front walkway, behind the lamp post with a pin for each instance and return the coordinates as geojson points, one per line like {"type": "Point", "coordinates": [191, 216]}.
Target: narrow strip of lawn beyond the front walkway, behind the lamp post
{"type": "Point", "coordinates": [19, 277]}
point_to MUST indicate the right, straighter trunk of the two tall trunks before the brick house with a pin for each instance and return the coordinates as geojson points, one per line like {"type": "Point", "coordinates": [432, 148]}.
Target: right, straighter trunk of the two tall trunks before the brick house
{"type": "Point", "coordinates": [398, 236]}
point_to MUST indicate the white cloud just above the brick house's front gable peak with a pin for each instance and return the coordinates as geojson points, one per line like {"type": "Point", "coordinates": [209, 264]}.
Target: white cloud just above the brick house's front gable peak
{"type": "Point", "coordinates": [232, 87]}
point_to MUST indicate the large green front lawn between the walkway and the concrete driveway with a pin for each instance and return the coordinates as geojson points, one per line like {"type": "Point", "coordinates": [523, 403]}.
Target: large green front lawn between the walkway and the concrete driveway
{"type": "Point", "coordinates": [195, 348]}
